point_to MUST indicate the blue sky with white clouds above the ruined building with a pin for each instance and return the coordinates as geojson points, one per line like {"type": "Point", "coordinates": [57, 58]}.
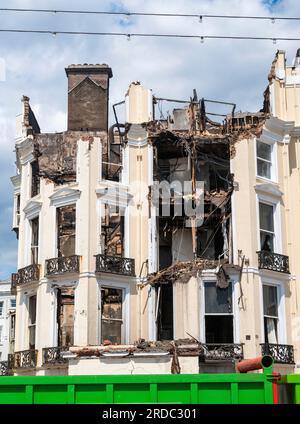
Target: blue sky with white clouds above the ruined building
{"type": "Point", "coordinates": [223, 70]}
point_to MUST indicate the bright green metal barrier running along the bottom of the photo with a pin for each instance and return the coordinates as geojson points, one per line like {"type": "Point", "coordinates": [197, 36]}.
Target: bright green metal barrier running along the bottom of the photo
{"type": "Point", "coordinates": [255, 388]}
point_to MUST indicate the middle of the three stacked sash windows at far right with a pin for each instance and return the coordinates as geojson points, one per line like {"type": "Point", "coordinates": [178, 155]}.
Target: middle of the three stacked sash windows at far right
{"type": "Point", "coordinates": [266, 225]}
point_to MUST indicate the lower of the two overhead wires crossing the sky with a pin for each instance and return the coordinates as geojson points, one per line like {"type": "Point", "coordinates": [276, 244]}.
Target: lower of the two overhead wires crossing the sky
{"type": "Point", "coordinates": [129, 35]}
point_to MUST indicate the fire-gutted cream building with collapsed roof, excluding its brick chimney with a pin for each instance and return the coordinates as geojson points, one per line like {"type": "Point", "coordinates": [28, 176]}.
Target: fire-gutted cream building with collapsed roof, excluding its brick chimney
{"type": "Point", "coordinates": [164, 243]}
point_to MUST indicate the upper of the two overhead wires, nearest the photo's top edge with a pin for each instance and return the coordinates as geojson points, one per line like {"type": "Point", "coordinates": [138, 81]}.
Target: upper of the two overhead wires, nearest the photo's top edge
{"type": "Point", "coordinates": [166, 15]}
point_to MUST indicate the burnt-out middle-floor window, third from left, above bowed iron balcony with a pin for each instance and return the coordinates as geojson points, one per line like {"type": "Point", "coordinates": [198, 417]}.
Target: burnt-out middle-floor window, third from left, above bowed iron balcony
{"type": "Point", "coordinates": [112, 236]}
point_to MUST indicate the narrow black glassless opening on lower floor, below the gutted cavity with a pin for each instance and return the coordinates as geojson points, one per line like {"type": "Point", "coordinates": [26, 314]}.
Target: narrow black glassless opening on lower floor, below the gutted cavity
{"type": "Point", "coordinates": [164, 316]}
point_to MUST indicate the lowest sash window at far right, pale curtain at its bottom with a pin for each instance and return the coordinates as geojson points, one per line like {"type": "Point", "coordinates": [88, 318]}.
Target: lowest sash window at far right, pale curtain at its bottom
{"type": "Point", "coordinates": [270, 314]}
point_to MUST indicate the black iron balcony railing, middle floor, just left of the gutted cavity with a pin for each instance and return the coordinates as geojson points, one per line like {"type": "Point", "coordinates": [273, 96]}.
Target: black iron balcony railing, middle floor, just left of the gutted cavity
{"type": "Point", "coordinates": [115, 265]}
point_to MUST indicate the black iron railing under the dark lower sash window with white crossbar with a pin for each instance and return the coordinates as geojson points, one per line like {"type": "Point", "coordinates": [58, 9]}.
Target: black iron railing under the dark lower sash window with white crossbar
{"type": "Point", "coordinates": [221, 351]}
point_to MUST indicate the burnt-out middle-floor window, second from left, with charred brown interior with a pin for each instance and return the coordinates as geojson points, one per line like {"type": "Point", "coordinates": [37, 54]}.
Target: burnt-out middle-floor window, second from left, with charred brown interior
{"type": "Point", "coordinates": [66, 223]}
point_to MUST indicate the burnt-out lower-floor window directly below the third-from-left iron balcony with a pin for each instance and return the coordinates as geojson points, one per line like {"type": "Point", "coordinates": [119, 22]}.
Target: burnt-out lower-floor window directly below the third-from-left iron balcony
{"type": "Point", "coordinates": [112, 315]}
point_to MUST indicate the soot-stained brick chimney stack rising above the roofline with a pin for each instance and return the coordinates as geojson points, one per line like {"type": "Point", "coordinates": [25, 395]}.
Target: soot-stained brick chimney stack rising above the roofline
{"type": "Point", "coordinates": [88, 94]}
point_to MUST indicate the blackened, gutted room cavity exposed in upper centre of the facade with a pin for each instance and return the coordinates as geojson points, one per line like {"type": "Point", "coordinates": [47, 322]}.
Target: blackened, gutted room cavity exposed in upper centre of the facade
{"type": "Point", "coordinates": [172, 161]}
